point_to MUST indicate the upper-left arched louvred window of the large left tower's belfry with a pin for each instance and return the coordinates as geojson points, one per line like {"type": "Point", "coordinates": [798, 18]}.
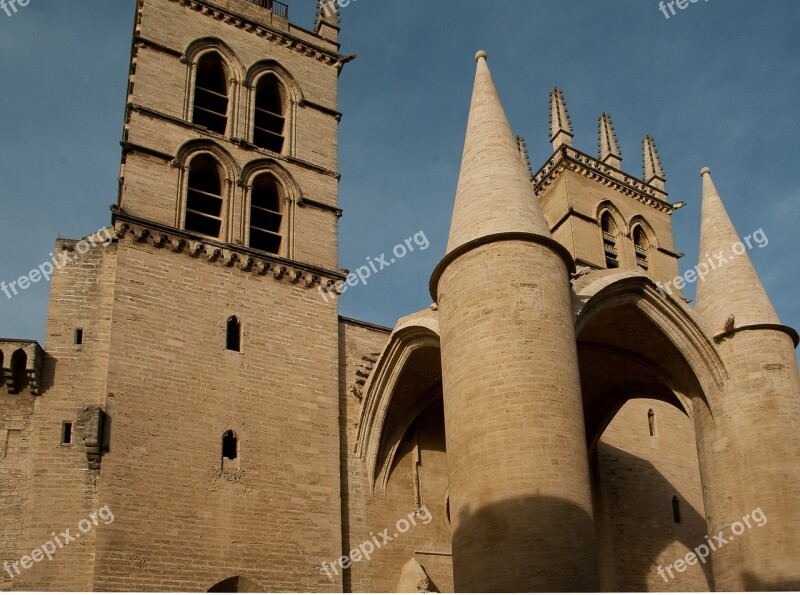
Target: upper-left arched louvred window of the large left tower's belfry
{"type": "Point", "coordinates": [211, 93]}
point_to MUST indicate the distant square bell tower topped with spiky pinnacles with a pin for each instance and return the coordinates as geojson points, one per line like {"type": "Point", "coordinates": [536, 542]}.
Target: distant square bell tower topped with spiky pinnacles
{"type": "Point", "coordinates": [605, 217]}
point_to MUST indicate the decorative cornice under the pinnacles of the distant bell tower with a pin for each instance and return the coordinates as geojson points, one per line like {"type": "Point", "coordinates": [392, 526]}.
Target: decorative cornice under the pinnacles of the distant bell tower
{"type": "Point", "coordinates": [581, 163]}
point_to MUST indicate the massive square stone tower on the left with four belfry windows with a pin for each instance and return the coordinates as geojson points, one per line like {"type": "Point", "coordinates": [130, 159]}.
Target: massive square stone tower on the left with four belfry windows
{"type": "Point", "coordinates": [206, 374]}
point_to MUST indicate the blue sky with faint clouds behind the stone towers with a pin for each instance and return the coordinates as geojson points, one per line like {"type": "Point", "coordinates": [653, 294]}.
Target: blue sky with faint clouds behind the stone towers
{"type": "Point", "coordinates": [718, 84]}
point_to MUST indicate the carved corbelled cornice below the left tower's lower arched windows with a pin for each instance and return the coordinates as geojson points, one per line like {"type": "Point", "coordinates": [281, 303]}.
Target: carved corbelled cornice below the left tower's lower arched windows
{"type": "Point", "coordinates": [245, 259]}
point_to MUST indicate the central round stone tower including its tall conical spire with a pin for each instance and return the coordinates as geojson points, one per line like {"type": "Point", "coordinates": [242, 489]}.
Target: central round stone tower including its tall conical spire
{"type": "Point", "coordinates": [520, 496]}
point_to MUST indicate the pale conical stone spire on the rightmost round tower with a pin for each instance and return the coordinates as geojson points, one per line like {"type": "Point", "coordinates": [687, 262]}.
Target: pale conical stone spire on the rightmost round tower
{"type": "Point", "coordinates": [731, 286]}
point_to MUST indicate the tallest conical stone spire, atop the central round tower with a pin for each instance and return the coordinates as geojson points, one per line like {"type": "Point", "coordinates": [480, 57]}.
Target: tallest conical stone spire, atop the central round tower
{"type": "Point", "coordinates": [494, 192]}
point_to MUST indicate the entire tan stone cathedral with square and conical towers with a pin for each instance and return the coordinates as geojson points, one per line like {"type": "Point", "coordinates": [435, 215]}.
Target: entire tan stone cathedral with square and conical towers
{"type": "Point", "coordinates": [561, 418]}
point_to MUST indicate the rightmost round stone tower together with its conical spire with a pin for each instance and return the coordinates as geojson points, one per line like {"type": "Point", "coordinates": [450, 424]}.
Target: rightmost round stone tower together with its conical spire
{"type": "Point", "coordinates": [753, 464]}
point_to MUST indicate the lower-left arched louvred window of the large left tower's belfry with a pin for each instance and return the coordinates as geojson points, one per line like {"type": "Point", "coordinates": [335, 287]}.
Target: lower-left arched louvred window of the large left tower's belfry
{"type": "Point", "coordinates": [204, 196]}
